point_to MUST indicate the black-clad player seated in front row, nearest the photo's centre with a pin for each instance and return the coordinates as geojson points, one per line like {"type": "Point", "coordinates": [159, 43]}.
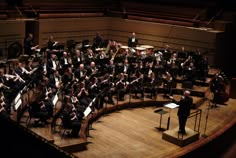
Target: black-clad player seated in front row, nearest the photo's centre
{"type": "Point", "coordinates": [120, 86]}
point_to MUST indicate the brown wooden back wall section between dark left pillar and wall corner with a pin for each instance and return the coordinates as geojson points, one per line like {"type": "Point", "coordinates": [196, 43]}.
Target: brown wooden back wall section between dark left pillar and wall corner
{"type": "Point", "coordinates": [71, 29]}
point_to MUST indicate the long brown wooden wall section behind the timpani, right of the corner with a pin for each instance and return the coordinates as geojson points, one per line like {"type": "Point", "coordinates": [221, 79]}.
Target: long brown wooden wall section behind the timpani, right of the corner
{"type": "Point", "coordinates": [159, 35]}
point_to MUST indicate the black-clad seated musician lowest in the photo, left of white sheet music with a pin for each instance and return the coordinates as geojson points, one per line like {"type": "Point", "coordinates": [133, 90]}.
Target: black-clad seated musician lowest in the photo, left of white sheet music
{"type": "Point", "coordinates": [70, 119]}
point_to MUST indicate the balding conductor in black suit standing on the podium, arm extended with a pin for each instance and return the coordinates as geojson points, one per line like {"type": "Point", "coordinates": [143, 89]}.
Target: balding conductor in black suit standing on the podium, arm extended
{"type": "Point", "coordinates": [185, 104]}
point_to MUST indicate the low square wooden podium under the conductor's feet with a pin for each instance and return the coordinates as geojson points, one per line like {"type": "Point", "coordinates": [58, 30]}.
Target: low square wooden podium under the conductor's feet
{"type": "Point", "coordinates": [179, 139]}
